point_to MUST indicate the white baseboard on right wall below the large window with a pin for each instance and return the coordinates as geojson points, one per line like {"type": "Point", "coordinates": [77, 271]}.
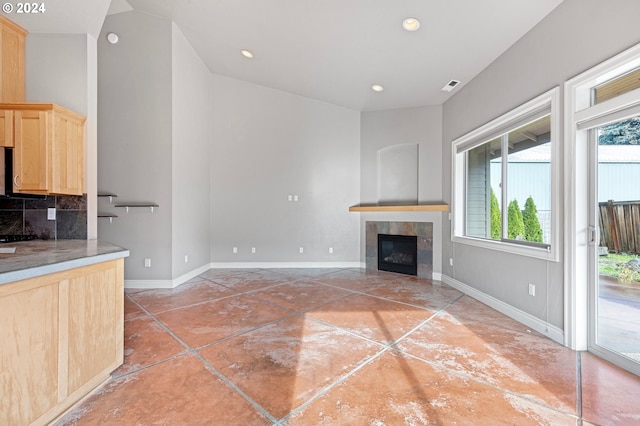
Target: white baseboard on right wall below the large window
{"type": "Point", "coordinates": [554, 333]}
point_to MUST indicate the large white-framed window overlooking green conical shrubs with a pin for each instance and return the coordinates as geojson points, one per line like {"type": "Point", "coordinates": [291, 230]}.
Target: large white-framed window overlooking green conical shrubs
{"type": "Point", "coordinates": [504, 174]}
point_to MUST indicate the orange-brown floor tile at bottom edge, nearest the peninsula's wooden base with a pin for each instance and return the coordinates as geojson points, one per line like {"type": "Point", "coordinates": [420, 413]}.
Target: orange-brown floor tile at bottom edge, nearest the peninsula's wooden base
{"type": "Point", "coordinates": [177, 392]}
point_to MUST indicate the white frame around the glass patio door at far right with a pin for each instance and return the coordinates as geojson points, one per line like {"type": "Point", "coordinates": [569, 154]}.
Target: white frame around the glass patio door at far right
{"type": "Point", "coordinates": [578, 110]}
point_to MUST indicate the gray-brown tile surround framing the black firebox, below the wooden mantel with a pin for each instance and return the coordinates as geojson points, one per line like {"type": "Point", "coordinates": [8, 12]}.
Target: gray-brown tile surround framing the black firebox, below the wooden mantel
{"type": "Point", "coordinates": [422, 230]}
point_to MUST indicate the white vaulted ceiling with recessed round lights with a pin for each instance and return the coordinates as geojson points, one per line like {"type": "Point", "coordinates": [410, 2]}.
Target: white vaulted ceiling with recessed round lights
{"type": "Point", "coordinates": [330, 50]}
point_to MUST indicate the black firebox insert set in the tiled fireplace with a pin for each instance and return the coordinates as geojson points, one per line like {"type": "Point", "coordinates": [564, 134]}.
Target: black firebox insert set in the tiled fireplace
{"type": "Point", "coordinates": [398, 253]}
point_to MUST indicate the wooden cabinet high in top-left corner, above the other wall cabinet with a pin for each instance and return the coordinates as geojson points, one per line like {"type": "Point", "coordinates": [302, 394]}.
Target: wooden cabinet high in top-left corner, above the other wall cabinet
{"type": "Point", "coordinates": [11, 61]}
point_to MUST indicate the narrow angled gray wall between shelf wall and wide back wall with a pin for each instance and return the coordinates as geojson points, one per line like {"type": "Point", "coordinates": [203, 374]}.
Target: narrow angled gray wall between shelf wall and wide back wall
{"type": "Point", "coordinates": [191, 147]}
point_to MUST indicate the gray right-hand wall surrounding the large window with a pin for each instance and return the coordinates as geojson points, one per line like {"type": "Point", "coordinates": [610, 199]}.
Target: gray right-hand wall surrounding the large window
{"type": "Point", "coordinates": [577, 35]}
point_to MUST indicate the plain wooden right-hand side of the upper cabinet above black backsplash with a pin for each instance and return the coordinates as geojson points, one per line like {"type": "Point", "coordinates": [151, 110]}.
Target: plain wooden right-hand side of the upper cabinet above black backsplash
{"type": "Point", "coordinates": [68, 156]}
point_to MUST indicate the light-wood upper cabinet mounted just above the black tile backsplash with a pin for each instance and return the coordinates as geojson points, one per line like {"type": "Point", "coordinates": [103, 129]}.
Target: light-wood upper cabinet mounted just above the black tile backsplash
{"type": "Point", "coordinates": [48, 148]}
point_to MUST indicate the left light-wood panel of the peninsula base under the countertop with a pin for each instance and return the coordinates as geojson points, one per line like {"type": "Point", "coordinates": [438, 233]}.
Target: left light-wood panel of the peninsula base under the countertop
{"type": "Point", "coordinates": [29, 365]}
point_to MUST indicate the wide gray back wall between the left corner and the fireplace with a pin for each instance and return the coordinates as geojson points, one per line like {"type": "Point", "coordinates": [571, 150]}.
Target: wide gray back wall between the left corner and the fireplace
{"type": "Point", "coordinates": [268, 145]}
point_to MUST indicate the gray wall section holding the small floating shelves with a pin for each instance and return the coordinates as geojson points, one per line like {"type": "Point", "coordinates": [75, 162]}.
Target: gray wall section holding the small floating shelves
{"type": "Point", "coordinates": [134, 139]}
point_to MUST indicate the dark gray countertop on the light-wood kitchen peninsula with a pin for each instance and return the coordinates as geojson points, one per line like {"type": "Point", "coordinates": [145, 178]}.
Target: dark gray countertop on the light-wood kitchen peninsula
{"type": "Point", "coordinates": [39, 257]}
